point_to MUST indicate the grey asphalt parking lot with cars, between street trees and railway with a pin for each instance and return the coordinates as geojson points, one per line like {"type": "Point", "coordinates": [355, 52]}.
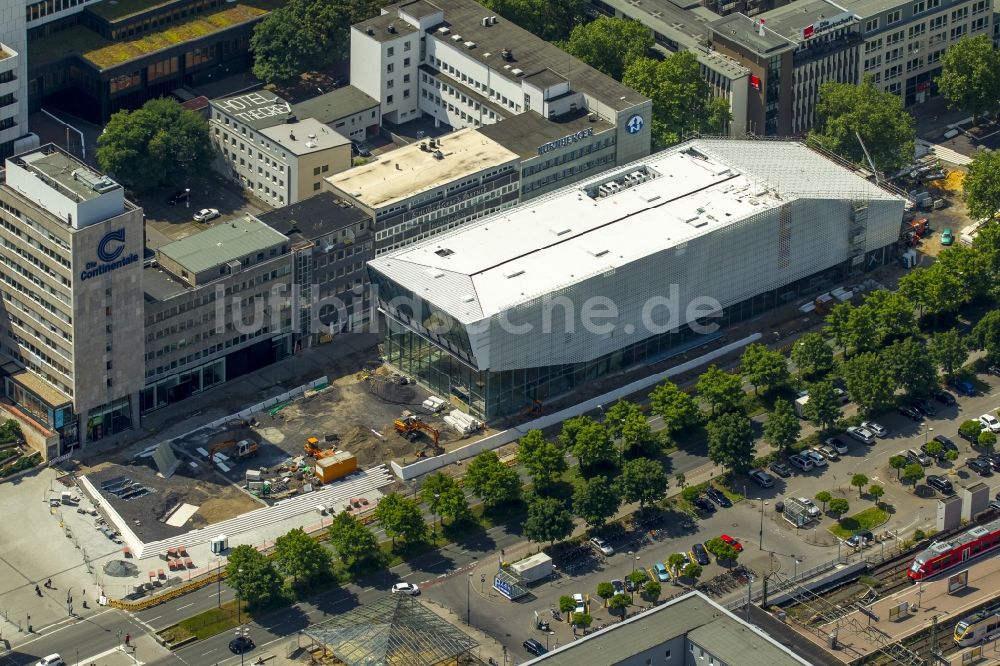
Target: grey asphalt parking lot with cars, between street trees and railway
{"type": "Point", "coordinates": [783, 547]}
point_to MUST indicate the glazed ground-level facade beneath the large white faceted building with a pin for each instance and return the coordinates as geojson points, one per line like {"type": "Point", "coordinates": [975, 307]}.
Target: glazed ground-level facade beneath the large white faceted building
{"type": "Point", "coordinates": [445, 368]}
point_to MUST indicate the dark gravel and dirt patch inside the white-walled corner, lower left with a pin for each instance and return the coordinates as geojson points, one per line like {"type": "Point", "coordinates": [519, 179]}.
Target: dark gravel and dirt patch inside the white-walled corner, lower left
{"type": "Point", "coordinates": [215, 498]}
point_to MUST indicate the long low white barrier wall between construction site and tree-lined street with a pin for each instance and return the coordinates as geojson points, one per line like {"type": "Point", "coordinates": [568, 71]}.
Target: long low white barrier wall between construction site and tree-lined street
{"type": "Point", "coordinates": [413, 470]}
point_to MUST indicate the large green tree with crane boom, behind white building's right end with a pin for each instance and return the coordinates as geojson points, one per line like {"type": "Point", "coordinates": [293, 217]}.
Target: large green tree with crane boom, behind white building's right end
{"type": "Point", "coordinates": [844, 111]}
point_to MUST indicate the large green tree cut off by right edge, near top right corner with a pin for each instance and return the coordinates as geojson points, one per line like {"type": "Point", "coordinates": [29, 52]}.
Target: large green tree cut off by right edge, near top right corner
{"type": "Point", "coordinates": [970, 76]}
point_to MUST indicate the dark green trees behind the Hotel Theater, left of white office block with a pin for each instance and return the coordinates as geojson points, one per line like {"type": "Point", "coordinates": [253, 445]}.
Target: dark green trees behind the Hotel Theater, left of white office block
{"type": "Point", "coordinates": [305, 35]}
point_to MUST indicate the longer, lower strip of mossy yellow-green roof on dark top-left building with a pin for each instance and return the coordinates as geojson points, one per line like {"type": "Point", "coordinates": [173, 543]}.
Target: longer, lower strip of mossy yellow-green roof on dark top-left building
{"type": "Point", "coordinates": [106, 54]}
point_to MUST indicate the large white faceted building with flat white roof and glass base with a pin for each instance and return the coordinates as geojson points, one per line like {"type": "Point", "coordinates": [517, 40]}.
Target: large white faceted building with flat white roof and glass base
{"type": "Point", "coordinates": [494, 315]}
